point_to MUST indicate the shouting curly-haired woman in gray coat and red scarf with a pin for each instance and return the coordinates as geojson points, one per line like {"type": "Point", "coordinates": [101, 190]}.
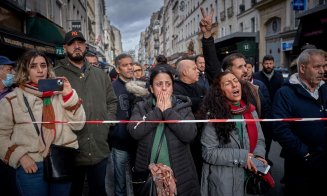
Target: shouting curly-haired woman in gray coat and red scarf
{"type": "Point", "coordinates": [228, 149]}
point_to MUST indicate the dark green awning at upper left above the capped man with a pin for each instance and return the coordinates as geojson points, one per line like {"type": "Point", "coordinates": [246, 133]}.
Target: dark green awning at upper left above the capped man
{"type": "Point", "coordinates": [39, 27]}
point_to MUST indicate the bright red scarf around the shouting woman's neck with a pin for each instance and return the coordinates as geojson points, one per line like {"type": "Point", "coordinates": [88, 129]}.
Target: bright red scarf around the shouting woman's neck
{"type": "Point", "coordinates": [246, 111]}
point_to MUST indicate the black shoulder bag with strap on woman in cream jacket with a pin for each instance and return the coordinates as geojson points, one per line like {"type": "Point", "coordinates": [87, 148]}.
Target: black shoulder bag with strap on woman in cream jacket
{"type": "Point", "coordinates": [59, 163]}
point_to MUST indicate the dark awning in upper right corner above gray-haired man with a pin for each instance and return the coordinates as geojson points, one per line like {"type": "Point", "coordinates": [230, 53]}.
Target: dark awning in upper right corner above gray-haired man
{"type": "Point", "coordinates": [312, 29]}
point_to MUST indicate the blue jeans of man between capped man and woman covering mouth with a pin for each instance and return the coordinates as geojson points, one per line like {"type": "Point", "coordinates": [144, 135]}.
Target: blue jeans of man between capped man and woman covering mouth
{"type": "Point", "coordinates": [121, 166]}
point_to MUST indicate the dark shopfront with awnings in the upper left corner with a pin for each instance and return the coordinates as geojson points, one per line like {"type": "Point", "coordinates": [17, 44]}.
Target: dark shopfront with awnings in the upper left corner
{"type": "Point", "coordinates": [21, 31]}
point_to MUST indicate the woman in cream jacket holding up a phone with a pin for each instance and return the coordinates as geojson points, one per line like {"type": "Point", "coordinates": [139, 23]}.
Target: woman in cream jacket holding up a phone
{"type": "Point", "coordinates": [21, 146]}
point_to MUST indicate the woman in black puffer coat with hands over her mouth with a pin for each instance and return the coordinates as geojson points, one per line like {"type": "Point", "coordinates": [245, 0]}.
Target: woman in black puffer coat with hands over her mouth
{"type": "Point", "coordinates": [161, 104]}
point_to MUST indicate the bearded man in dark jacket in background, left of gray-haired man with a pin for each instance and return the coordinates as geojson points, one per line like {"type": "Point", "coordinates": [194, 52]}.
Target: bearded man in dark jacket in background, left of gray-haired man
{"type": "Point", "coordinates": [271, 78]}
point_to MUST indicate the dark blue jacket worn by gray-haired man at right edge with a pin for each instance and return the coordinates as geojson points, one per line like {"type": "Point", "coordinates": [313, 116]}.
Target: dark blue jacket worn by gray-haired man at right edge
{"type": "Point", "coordinates": [299, 138]}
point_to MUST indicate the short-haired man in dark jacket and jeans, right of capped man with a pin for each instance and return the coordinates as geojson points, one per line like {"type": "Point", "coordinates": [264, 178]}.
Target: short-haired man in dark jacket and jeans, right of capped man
{"type": "Point", "coordinates": [120, 139]}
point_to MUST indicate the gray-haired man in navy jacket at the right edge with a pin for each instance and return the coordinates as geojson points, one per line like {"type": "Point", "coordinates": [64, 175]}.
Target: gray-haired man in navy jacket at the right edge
{"type": "Point", "coordinates": [304, 143]}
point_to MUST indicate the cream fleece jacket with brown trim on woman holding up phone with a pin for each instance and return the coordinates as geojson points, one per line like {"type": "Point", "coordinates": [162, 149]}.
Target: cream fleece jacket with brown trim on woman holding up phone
{"type": "Point", "coordinates": [18, 134]}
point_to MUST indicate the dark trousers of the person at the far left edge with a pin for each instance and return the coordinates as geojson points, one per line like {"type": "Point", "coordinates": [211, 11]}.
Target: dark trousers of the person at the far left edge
{"type": "Point", "coordinates": [8, 180]}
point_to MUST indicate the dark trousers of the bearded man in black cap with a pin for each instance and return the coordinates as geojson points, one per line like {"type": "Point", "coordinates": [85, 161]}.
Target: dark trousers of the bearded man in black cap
{"type": "Point", "coordinates": [95, 175]}
